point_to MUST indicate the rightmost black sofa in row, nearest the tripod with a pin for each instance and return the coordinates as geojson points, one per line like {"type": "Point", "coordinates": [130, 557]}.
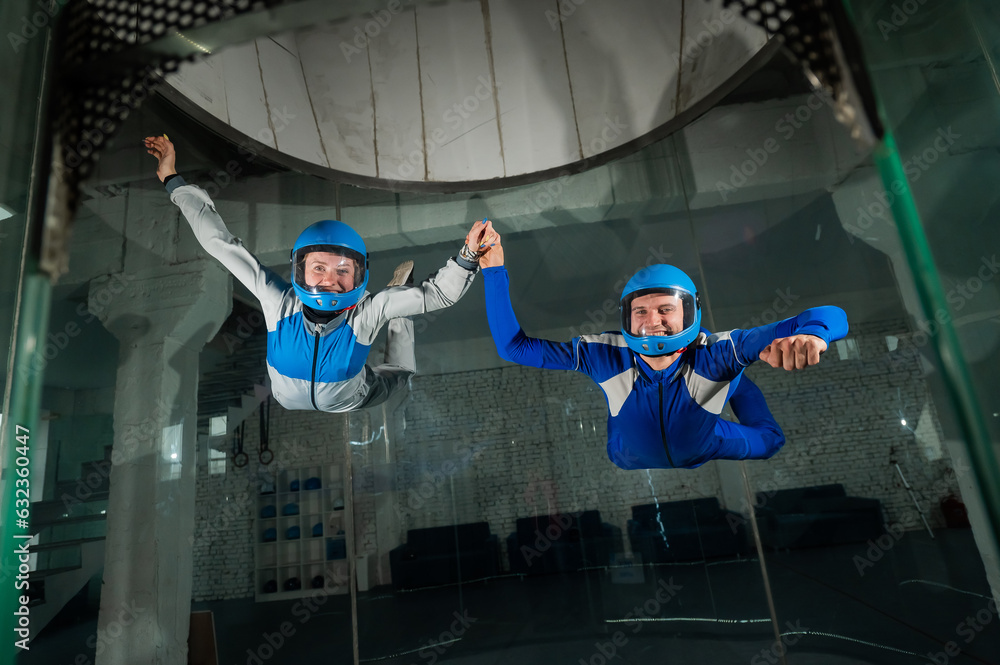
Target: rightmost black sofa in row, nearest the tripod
{"type": "Point", "coordinates": [816, 516]}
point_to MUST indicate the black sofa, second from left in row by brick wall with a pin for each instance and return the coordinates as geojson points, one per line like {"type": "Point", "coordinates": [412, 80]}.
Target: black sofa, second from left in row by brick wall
{"type": "Point", "coordinates": [561, 543]}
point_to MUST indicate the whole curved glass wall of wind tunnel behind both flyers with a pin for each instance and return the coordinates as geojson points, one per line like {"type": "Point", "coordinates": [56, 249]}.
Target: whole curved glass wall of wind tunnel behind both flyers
{"type": "Point", "coordinates": [477, 508]}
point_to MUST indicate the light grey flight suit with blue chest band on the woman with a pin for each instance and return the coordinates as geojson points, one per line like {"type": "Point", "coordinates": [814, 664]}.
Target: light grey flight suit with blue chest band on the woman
{"type": "Point", "coordinates": [317, 366]}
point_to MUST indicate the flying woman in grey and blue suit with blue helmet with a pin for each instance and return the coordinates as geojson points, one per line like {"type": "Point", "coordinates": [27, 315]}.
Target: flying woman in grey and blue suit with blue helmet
{"type": "Point", "coordinates": [322, 325]}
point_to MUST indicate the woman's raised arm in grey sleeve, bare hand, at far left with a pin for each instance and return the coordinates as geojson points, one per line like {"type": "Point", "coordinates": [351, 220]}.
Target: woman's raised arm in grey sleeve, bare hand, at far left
{"type": "Point", "coordinates": [209, 229]}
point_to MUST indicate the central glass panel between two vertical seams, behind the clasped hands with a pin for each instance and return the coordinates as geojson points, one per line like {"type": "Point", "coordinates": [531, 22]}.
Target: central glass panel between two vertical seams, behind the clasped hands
{"type": "Point", "coordinates": [486, 505]}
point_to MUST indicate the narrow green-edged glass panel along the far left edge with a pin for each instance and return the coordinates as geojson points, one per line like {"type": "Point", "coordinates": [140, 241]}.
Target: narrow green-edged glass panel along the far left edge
{"type": "Point", "coordinates": [23, 312]}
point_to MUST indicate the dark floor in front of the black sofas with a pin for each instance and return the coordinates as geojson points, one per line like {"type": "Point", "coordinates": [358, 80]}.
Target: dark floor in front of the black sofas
{"type": "Point", "coordinates": [919, 599]}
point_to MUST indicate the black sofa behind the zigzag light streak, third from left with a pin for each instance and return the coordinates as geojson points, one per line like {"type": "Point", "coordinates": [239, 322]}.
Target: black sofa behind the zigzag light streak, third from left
{"type": "Point", "coordinates": [693, 530]}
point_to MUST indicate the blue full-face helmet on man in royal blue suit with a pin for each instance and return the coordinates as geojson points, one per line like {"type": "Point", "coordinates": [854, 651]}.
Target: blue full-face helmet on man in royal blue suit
{"type": "Point", "coordinates": [675, 297]}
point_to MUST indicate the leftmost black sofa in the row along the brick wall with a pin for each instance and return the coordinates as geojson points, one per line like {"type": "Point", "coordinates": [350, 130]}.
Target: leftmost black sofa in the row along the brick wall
{"type": "Point", "coordinates": [444, 554]}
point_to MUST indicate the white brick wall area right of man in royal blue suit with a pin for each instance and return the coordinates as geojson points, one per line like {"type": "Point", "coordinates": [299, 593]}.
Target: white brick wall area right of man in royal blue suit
{"type": "Point", "coordinates": [842, 424]}
